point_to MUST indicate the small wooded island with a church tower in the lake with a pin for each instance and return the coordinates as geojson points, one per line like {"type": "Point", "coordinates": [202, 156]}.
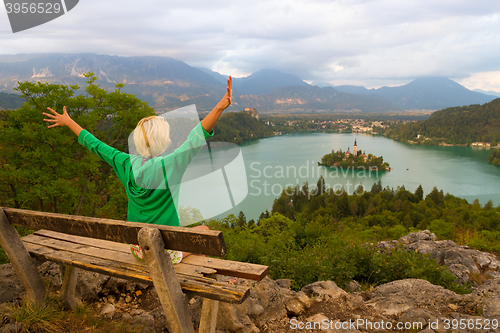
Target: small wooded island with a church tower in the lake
{"type": "Point", "coordinates": [356, 159]}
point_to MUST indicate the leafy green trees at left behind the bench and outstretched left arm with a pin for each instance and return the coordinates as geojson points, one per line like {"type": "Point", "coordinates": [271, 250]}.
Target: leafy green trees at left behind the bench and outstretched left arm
{"type": "Point", "coordinates": [46, 169]}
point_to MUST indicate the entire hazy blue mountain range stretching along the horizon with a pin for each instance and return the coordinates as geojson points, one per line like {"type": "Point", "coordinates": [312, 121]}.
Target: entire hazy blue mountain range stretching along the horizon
{"type": "Point", "coordinates": [166, 83]}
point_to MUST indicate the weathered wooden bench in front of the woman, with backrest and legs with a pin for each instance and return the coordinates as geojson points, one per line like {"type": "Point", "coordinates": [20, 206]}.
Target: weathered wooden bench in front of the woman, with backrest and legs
{"type": "Point", "coordinates": [101, 245]}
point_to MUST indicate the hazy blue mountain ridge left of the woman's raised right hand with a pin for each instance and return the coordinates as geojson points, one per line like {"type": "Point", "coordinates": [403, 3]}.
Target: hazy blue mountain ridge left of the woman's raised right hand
{"type": "Point", "coordinates": [163, 82]}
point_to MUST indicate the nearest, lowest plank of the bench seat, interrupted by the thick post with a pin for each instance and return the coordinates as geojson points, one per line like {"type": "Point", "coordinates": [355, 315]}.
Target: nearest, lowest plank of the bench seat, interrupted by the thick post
{"type": "Point", "coordinates": [200, 286]}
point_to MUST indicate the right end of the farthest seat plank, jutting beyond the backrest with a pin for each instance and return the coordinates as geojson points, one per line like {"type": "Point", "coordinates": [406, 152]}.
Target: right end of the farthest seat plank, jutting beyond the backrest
{"type": "Point", "coordinates": [231, 268]}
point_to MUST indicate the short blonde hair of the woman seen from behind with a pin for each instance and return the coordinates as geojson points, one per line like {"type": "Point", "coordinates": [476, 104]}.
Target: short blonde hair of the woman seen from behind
{"type": "Point", "coordinates": [152, 136]}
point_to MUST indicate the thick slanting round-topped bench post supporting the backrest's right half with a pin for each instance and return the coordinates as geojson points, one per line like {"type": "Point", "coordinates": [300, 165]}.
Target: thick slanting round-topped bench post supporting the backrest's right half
{"type": "Point", "coordinates": [165, 281]}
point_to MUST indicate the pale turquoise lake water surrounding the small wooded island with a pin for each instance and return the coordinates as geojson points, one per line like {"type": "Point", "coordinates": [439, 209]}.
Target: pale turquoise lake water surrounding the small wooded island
{"type": "Point", "coordinates": [274, 163]}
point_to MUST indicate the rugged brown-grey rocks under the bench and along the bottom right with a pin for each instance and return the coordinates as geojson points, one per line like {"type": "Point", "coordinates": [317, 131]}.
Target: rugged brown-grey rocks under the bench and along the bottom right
{"type": "Point", "coordinates": [410, 305]}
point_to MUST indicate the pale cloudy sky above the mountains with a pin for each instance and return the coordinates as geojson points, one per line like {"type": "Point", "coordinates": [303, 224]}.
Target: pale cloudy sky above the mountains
{"type": "Point", "coordinates": [362, 42]}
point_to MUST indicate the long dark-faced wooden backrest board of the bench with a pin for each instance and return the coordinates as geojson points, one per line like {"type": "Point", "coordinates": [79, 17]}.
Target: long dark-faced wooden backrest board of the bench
{"type": "Point", "coordinates": [209, 242]}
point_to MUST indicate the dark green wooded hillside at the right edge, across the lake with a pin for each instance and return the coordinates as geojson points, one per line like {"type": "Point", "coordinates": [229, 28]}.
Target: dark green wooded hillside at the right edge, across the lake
{"type": "Point", "coordinates": [459, 125]}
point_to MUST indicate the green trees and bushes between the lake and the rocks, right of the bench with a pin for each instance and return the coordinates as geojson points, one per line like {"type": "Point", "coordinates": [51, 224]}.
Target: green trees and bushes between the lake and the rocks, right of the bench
{"type": "Point", "coordinates": [311, 236]}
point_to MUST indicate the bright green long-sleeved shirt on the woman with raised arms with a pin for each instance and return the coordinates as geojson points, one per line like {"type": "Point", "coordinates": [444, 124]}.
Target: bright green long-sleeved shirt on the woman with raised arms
{"type": "Point", "coordinates": [153, 201]}
